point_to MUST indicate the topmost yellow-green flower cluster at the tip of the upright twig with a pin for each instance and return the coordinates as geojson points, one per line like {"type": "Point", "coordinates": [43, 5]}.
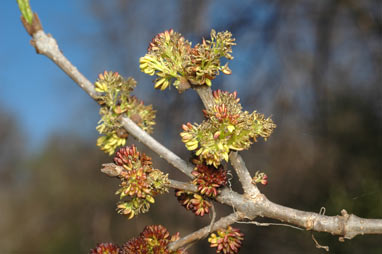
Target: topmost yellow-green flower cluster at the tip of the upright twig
{"type": "Point", "coordinates": [173, 59]}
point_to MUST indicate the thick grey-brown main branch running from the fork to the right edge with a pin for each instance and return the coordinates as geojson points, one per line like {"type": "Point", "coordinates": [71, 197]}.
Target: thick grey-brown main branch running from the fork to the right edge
{"type": "Point", "coordinates": [345, 225]}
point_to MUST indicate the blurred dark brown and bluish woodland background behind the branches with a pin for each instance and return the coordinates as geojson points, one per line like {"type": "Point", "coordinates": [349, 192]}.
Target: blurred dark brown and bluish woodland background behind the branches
{"type": "Point", "coordinates": [315, 66]}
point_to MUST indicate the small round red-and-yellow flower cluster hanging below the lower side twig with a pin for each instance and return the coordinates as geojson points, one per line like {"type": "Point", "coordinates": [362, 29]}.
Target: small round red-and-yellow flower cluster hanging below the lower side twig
{"type": "Point", "coordinates": [226, 240]}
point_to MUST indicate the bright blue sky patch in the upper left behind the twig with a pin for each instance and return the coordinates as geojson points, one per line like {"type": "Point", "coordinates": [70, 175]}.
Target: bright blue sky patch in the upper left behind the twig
{"type": "Point", "coordinates": [39, 95]}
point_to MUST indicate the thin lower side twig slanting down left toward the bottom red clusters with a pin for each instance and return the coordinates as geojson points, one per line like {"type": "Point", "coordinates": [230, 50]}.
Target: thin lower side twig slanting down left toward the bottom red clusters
{"type": "Point", "coordinates": [203, 232]}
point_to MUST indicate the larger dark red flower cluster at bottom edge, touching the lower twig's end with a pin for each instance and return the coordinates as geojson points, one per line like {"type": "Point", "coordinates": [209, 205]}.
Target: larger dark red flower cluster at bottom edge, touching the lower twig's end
{"type": "Point", "coordinates": [154, 239]}
